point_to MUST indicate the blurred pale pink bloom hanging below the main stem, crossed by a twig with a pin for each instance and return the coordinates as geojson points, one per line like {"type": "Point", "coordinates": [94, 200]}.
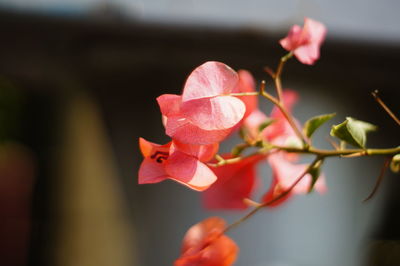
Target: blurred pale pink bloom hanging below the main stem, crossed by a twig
{"type": "Point", "coordinates": [285, 174]}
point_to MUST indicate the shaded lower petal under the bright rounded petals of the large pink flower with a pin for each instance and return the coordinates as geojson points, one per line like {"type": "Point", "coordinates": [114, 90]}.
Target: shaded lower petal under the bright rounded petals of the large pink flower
{"type": "Point", "coordinates": [181, 129]}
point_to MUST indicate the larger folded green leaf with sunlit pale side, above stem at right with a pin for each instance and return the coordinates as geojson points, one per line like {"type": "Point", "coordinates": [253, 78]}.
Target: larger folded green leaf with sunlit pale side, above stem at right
{"type": "Point", "coordinates": [353, 131]}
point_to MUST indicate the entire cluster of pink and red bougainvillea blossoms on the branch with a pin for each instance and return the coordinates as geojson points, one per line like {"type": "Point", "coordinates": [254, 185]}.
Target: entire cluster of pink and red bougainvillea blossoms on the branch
{"type": "Point", "coordinates": [216, 101]}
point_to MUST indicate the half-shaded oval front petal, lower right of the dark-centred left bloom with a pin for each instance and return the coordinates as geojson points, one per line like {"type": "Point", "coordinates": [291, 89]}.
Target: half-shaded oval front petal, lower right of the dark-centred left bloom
{"type": "Point", "coordinates": [189, 171]}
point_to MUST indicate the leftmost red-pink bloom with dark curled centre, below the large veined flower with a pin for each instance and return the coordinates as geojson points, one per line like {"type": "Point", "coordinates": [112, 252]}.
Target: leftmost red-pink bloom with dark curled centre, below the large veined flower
{"type": "Point", "coordinates": [177, 161]}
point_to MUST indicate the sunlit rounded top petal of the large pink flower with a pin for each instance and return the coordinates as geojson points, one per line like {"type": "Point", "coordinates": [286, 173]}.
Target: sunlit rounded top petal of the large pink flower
{"type": "Point", "coordinates": [209, 80]}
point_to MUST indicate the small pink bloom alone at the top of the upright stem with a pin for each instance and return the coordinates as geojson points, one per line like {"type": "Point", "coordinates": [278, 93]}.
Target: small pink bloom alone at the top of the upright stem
{"type": "Point", "coordinates": [305, 42]}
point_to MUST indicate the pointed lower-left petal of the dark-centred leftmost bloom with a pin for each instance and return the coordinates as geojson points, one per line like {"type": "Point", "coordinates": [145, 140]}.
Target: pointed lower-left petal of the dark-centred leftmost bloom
{"type": "Point", "coordinates": [151, 172]}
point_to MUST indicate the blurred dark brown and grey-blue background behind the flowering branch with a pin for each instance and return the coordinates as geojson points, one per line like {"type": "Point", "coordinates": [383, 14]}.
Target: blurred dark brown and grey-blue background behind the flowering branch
{"type": "Point", "coordinates": [78, 82]}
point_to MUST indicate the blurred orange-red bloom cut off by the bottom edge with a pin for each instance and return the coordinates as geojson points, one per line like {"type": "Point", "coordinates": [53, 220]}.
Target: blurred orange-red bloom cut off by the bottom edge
{"type": "Point", "coordinates": [205, 245]}
